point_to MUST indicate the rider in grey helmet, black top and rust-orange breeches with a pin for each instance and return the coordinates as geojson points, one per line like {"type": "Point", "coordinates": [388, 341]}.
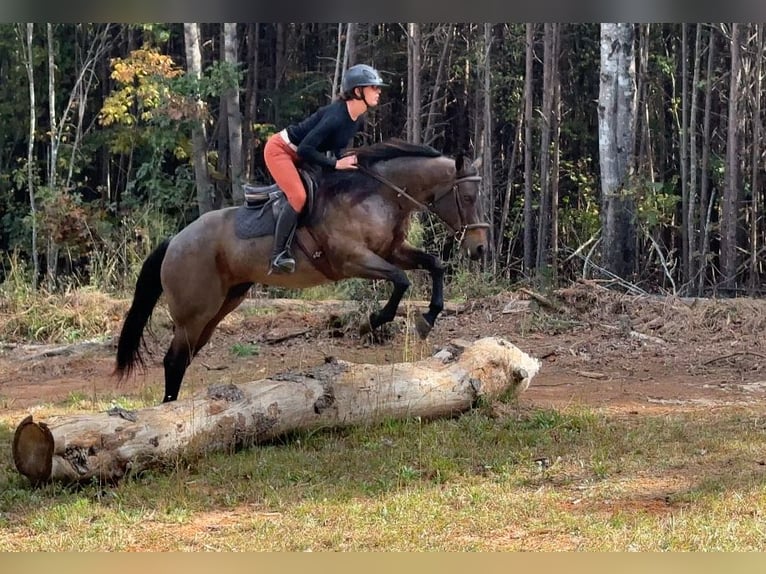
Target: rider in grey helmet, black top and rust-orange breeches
{"type": "Point", "coordinates": [330, 128]}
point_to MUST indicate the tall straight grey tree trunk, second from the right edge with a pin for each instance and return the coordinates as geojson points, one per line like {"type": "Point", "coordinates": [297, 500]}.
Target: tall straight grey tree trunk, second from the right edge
{"type": "Point", "coordinates": [731, 185]}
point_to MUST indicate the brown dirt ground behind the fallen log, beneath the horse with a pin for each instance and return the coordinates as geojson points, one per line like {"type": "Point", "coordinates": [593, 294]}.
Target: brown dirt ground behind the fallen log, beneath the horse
{"type": "Point", "coordinates": [598, 348]}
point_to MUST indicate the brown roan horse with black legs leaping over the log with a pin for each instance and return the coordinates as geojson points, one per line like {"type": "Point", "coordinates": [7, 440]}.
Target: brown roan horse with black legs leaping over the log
{"type": "Point", "coordinates": [358, 223]}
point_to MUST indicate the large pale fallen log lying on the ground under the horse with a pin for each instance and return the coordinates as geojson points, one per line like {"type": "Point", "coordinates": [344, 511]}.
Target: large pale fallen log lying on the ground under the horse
{"type": "Point", "coordinates": [108, 445]}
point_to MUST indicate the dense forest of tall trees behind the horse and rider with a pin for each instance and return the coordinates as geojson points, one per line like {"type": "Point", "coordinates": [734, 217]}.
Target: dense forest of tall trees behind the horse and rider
{"type": "Point", "coordinates": [628, 153]}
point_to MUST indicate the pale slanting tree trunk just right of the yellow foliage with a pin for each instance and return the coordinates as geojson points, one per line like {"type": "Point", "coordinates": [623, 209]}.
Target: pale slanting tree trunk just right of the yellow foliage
{"type": "Point", "coordinates": [199, 139]}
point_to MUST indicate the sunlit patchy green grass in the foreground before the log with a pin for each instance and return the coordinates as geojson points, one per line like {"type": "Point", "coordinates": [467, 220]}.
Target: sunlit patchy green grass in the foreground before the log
{"type": "Point", "coordinates": [575, 479]}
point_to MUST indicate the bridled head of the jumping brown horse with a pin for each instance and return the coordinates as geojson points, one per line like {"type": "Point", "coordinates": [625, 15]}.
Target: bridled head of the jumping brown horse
{"type": "Point", "coordinates": [459, 206]}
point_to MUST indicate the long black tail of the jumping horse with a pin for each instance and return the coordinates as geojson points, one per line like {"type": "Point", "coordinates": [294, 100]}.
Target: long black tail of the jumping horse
{"type": "Point", "coordinates": [148, 291]}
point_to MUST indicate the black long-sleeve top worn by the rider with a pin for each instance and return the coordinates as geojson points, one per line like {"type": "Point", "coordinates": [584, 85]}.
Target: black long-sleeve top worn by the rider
{"type": "Point", "coordinates": [330, 128]}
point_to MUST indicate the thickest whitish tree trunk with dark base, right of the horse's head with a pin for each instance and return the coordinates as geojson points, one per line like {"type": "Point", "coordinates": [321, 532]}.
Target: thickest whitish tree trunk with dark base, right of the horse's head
{"type": "Point", "coordinates": [616, 124]}
